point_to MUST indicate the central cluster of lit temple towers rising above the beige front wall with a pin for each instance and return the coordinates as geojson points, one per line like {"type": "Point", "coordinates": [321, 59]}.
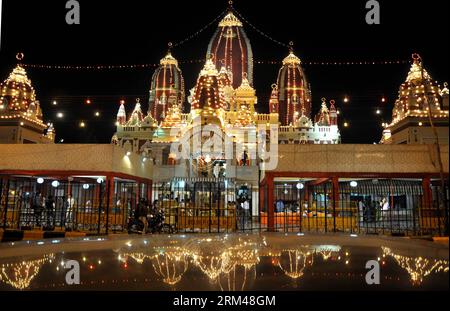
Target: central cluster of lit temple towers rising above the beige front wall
{"type": "Point", "coordinates": [224, 96]}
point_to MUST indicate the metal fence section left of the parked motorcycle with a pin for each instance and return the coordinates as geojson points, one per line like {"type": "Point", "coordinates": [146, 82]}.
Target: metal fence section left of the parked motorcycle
{"type": "Point", "coordinates": [88, 205]}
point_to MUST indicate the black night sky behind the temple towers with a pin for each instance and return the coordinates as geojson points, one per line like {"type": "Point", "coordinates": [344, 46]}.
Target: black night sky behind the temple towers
{"type": "Point", "coordinates": [136, 31]}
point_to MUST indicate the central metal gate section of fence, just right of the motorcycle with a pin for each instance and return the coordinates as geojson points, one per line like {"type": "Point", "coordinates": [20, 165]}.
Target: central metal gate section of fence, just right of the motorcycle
{"type": "Point", "coordinates": [206, 205]}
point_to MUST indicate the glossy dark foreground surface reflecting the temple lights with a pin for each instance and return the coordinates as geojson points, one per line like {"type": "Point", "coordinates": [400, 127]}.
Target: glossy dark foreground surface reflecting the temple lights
{"type": "Point", "coordinates": [288, 262]}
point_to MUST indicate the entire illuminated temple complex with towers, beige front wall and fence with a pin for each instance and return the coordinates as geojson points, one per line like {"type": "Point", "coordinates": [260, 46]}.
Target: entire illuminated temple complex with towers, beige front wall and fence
{"type": "Point", "coordinates": [207, 157]}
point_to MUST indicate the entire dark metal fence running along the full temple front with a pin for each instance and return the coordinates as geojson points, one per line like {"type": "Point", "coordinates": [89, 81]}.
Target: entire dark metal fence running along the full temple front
{"type": "Point", "coordinates": [202, 205]}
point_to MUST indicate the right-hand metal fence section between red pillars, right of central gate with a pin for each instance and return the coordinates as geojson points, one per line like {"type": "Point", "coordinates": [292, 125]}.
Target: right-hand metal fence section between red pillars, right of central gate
{"type": "Point", "coordinates": [375, 206]}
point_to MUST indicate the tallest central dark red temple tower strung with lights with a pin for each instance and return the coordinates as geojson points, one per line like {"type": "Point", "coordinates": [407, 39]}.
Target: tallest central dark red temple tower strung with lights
{"type": "Point", "coordinates": [231, 49]}
